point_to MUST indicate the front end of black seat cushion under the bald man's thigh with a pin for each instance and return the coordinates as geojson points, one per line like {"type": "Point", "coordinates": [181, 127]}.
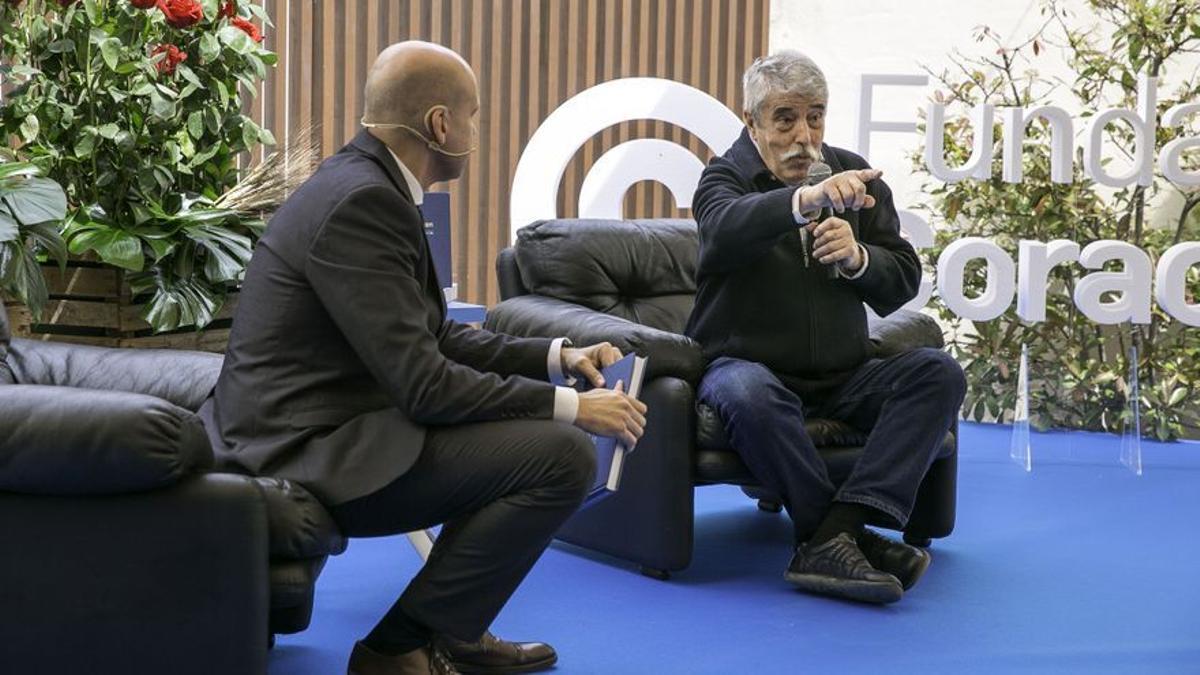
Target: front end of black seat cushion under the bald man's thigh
{"type": "Point", "coordinates": [299, 525]}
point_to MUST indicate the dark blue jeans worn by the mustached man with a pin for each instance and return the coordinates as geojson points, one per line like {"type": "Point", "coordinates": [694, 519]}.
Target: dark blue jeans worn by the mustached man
{"type": "Point", "coordinates": [907, 404]}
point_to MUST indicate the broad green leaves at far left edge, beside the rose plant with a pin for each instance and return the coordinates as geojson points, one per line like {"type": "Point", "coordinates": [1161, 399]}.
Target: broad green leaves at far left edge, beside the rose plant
{"type": "Point", "coordinates": [31, 211]}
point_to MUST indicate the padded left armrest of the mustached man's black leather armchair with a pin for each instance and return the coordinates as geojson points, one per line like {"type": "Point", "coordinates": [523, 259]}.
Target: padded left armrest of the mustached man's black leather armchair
{"type": "Point", "coordinates": [537, 316]}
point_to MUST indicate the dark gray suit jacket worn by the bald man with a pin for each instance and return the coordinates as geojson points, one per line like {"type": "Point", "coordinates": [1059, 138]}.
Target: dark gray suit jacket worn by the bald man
{"type": "Point", "coordinates": [341, 354]}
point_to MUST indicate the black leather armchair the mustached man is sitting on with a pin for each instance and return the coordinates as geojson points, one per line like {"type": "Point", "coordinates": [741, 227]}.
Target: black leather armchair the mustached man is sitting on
{"type": "Point", "coordinates": [633, 284]}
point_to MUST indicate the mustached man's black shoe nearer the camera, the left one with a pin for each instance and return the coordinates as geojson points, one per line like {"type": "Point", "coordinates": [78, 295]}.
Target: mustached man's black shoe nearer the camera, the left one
{"type": "Point", "coordinates": [839, 569]}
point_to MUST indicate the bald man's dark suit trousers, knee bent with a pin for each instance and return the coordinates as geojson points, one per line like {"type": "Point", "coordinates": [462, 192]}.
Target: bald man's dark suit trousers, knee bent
{"type": "Point", "coordinates": [502, 489]}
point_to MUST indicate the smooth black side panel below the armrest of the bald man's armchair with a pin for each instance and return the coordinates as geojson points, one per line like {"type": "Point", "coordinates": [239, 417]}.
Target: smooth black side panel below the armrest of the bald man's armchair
{"type": "Point", "coordinates": [167, 582]}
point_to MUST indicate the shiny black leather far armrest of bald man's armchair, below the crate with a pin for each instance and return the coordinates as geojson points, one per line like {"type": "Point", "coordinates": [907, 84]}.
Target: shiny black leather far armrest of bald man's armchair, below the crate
{"type": "Point", "coordinates": [182, 378]}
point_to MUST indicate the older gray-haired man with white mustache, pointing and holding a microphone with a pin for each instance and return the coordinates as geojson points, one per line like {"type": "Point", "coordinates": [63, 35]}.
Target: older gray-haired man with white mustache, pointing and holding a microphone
{"type": "Point", "coordinates": [787, 264]}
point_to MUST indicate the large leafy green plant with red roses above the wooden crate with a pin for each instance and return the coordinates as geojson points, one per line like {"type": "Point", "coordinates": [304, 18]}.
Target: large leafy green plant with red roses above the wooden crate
{"type": "Point", "coordinates": [136, 109]}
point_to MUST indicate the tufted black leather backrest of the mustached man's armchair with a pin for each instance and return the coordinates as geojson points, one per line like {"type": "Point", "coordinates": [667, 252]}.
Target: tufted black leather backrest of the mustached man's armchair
{"type": "Point", "coordinates": [643, 271]}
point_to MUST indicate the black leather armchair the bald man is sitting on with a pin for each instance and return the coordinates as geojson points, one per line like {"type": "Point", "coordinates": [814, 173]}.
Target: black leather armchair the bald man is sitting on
{"type": "Point", "coordinates": [124, 549]}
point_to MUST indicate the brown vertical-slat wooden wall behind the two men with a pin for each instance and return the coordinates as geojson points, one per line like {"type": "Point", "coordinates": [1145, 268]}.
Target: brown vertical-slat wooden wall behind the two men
{"type": "Point", "coordinates": [530, 57]}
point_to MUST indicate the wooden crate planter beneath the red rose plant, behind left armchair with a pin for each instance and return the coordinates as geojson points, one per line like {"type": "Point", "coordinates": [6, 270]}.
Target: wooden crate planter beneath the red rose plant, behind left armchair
{"type": "Point", "coordinates": [91, 304]}
